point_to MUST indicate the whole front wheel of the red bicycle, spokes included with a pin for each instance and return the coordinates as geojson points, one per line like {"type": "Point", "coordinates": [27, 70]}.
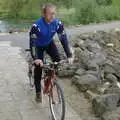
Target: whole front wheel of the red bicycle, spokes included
{"type": "Point", "coordinates": [57, 102]}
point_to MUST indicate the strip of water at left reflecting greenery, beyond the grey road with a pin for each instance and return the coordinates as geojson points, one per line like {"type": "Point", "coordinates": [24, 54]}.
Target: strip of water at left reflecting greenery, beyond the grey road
{"type": "Point", "coordinates": [15, 25]}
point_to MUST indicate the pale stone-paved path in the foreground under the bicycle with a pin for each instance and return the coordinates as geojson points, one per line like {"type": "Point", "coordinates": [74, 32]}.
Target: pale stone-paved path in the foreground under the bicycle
{"type": "Point", "coordinates": [16, 98]}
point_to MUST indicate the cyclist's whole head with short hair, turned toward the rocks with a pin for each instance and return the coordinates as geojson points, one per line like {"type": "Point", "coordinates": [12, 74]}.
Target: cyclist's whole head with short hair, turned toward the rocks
{"type": "Point", "coordinates": [48, 12]}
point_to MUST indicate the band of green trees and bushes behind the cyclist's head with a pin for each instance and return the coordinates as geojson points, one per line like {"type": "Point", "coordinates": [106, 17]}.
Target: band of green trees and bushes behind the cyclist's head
{"type": "Point", "coordinates": [70, 11]}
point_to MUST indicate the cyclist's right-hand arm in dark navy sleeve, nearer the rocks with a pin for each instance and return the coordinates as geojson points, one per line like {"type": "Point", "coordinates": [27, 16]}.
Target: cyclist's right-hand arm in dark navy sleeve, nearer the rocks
{"type": "Point", "coordinates": [63, 38]}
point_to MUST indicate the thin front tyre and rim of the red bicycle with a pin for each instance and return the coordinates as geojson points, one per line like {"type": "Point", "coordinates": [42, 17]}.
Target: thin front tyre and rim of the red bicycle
{"type": "Point", "coordinates": [51, 103]}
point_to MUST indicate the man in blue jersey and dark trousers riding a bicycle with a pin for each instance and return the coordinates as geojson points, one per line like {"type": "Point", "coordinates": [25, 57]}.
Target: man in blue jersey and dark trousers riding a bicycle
{"type": "Point", "coordinates": [41, 39]}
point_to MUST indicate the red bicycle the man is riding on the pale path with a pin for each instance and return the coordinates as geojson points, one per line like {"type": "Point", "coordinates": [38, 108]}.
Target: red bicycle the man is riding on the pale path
{"type": "Point", "coordinates": [50, 87]}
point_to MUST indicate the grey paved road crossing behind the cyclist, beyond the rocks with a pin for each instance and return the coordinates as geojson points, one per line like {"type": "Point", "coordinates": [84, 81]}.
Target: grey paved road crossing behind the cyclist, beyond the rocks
{"type": "Point", "coordinates": [22, 39]}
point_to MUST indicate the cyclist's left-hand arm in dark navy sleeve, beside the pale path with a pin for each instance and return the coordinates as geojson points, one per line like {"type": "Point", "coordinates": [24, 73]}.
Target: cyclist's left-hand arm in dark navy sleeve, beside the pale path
{"type": "Point", "coordinates": [32, 43]}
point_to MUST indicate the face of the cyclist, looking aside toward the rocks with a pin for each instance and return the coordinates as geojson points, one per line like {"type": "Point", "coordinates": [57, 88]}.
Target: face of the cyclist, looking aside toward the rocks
{"type": "Point", "coordinates": [49, 14]}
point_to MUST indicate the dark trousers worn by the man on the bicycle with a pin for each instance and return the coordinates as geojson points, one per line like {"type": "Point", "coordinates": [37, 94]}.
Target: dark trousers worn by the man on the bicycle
{"type": "Point", "coordinates": [52, 51]}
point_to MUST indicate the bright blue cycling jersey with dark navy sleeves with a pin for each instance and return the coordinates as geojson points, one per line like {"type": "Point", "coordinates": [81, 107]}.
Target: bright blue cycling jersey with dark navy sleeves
{"type": "Point", "coordinates": [41, 34]}
